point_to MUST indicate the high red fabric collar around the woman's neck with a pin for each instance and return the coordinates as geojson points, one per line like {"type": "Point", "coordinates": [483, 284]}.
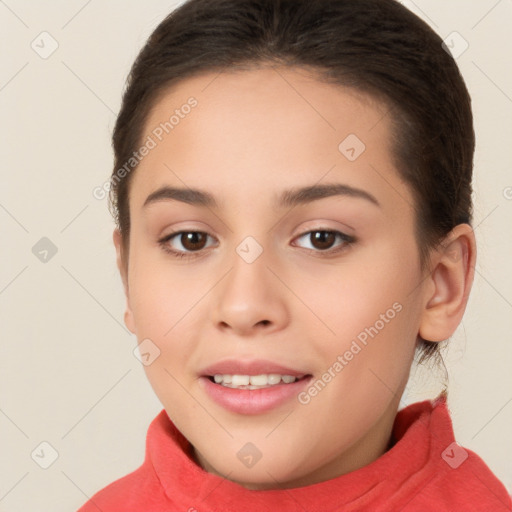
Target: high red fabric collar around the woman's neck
{"type": "Point", "coordinates": [421, 432]}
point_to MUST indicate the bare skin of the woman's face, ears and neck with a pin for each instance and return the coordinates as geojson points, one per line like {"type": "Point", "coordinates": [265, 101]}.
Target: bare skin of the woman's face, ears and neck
{"type": "Point", "coordinates": [254, 134]}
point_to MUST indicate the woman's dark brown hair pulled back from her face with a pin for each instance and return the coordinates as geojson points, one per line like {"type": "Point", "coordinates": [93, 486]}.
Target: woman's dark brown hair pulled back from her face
{"type": "Point", "coordinates": [375, 46]}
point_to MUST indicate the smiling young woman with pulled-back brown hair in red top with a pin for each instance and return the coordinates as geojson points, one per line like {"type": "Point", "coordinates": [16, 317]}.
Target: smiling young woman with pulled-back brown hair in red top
{"type": "Point", "coordinates": [292, 191]}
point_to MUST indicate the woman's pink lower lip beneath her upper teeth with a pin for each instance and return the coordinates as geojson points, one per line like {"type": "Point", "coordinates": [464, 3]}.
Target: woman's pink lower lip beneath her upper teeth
{"type": "Point", "coordinates": [253, 401]}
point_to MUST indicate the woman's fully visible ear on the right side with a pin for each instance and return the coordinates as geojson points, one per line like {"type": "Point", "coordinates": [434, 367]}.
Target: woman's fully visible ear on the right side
{"type": "Point", "coordinates": [449, 283]}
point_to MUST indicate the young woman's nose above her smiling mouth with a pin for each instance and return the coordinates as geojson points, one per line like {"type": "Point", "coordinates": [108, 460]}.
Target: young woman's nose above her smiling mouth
{"type": "Point", "coordinates": [250, 299]}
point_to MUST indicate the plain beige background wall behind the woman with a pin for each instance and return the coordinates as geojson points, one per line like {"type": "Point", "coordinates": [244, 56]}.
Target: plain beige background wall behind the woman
{"type": "Point", "coordinates": [68, 376]}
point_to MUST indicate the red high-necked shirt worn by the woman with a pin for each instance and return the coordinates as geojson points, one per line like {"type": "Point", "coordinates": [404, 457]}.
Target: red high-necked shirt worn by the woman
{"type": "Point", "coordinates": [425, 470]}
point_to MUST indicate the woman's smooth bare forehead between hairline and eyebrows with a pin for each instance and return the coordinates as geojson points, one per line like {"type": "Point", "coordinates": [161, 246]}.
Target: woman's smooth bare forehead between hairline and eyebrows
{"type": "Point", "coordinates": [263, 128]}
